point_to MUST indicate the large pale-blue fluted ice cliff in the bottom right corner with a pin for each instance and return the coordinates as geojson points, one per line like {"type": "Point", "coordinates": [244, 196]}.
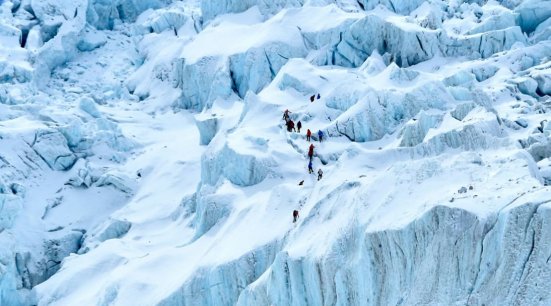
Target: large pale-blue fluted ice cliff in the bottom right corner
{"type": "Point", "coordinates": [505, 253]}
